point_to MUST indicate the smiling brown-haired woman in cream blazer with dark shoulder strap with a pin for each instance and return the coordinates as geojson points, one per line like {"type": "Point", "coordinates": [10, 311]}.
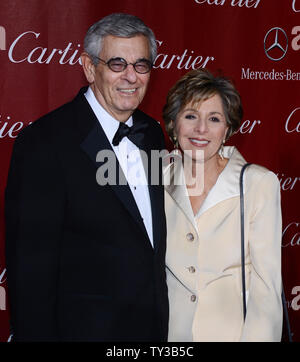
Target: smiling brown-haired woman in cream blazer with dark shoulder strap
{"type": "Point", "coordinates": [203, 221]}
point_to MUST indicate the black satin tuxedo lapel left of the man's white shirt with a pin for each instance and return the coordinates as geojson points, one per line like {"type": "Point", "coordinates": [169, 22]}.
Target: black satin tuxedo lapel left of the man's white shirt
{"type": "Point", "coordinates": [94, 141]}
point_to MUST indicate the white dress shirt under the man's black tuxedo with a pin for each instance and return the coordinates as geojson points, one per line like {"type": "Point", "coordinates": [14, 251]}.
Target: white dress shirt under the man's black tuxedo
{"type": "Point", "coordinates": [129, 158]}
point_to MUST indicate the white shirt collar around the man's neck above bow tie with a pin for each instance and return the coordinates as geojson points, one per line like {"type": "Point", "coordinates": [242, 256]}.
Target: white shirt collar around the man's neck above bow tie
{"type": "Point", "coordinates": [107, 122]}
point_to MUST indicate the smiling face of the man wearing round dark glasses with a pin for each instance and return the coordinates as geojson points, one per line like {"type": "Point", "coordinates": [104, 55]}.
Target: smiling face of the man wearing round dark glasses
{"type": "Point", "coordinates": [120, 93]}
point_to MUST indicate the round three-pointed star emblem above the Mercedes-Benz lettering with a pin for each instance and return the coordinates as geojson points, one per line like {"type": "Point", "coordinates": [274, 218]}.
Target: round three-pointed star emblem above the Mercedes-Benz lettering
{"type": "Point", "coordinates": [275, 40]}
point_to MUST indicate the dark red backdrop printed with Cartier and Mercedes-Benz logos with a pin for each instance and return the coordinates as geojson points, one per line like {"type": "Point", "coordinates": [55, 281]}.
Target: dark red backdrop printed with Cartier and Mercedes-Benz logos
{"type": "Point", "coordinates": [254, 42]}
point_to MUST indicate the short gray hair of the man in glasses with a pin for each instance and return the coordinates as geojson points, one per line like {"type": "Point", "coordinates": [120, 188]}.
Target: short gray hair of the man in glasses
{"type": "Point", "coordinates": [121, 25]}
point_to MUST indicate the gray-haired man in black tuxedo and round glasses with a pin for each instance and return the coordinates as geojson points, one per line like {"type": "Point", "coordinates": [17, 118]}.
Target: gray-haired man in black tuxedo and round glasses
{"type": "Point", "coordinates": [85, 260]}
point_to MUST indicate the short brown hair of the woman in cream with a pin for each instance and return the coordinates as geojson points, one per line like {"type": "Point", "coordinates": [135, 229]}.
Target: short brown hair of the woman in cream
{"type": "Point", "coordinates": [199, 85]}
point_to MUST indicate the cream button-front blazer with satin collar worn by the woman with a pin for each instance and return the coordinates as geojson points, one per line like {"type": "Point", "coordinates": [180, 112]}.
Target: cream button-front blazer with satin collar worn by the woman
{"type": "Point", "coordinates": [204, 257]}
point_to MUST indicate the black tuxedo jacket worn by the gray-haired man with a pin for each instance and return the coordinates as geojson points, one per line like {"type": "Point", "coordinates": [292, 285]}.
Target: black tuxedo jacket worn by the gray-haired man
{"type": "Point", "coordinates": [80, 265]}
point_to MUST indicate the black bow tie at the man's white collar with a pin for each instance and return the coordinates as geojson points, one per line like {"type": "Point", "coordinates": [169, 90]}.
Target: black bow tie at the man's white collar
{"type": "Point", "coordinates": [135, 134]}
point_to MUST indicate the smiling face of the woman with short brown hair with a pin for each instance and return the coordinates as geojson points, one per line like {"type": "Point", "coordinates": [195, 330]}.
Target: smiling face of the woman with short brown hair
{"type": "Point", "coordinates": [202, 127]}
